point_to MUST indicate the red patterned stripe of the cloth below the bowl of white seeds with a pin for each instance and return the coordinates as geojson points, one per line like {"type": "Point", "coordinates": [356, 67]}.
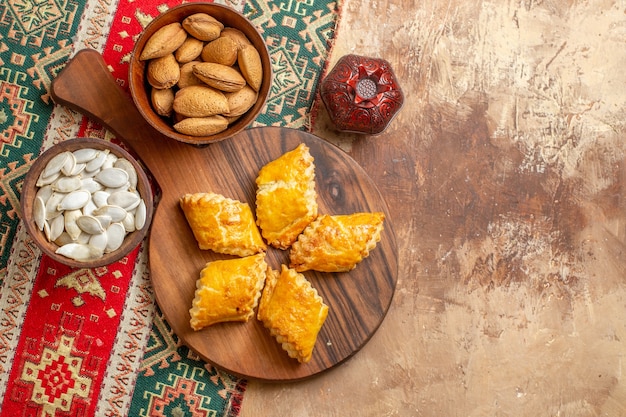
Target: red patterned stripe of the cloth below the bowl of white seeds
{"type": "Point", "coordinates": [70, 326]}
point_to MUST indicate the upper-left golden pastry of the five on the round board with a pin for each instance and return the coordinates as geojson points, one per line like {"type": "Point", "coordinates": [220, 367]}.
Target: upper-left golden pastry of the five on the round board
{"type": "Point", "coordinates": [221, 224]}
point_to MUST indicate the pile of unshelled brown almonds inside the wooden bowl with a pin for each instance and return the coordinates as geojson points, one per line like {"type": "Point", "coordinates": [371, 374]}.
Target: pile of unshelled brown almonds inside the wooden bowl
{"type": "Point", "coordinates": [202, 74]}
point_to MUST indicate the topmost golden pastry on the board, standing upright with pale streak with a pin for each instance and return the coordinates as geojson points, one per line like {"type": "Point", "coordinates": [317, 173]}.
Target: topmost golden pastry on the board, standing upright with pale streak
{"type": "Point", "coordinates": [286, 201]}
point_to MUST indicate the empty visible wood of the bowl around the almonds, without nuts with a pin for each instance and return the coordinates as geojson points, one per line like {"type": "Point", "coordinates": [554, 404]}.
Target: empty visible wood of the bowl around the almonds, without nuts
{"type": "Point", "coordinates": [140, 89]}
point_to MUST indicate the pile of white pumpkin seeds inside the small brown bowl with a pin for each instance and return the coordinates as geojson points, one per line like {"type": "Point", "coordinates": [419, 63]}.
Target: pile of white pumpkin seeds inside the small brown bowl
{"type": "Point", "coordinates": [87, 202]}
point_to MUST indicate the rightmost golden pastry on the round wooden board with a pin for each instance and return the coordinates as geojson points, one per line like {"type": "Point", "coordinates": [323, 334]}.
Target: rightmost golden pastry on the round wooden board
{"type": "Point", "coordinates": [336, 243]}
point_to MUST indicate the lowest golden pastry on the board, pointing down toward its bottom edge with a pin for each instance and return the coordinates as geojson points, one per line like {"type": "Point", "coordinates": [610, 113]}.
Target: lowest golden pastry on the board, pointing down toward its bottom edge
{"type": "Point", "coordinates": [293, 312]}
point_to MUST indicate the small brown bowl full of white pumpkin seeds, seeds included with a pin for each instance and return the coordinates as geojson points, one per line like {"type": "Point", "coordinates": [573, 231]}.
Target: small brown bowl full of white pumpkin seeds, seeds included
{"type": "Point", "coordinates": [86, 202]}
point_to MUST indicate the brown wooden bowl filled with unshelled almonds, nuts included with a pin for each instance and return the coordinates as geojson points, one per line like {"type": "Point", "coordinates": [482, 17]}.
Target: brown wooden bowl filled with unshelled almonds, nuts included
{"type": "Point", "coordinates": [200, 73]}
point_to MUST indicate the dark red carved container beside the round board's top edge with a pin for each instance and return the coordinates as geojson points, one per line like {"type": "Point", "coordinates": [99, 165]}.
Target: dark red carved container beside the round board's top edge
{"type": "Point", "coordinates": [361, 94]}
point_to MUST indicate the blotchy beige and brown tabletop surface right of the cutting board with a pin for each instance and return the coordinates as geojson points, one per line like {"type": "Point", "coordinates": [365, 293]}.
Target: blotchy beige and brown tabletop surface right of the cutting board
{"type": "Point", "coordinates": [505, 171]}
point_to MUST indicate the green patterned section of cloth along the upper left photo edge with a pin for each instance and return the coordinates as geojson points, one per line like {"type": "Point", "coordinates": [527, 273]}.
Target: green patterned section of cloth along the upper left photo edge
{"type": "Point", "coordinates": [34, 46]}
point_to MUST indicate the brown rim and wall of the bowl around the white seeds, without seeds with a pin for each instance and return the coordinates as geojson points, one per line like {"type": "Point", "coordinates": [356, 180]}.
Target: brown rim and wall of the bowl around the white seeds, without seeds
{"type": "Point", "coordinates": [29, 190]}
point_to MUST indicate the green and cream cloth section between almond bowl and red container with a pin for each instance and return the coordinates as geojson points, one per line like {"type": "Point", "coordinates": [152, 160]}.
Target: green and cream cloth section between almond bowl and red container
{"type": "Point", "coordinates": [298, 35]}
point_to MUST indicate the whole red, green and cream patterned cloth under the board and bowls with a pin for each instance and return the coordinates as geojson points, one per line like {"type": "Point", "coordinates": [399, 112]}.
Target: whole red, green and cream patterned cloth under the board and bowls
{"type": "Point", "coordinates": [93, 342]}
